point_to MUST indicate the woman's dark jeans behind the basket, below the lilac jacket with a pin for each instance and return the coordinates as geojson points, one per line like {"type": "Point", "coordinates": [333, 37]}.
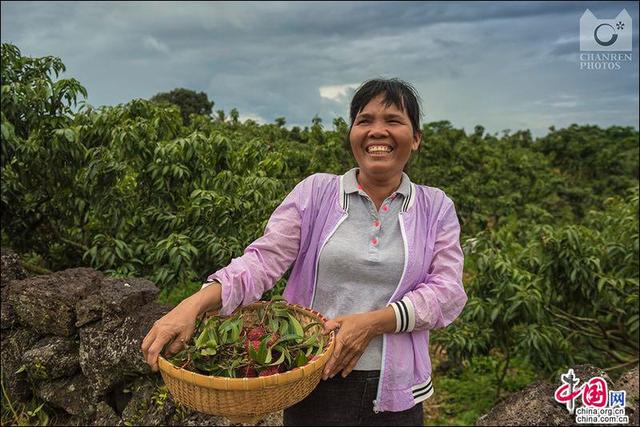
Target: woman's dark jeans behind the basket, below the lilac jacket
{"type": "Point", "coordinates": [348, 402]}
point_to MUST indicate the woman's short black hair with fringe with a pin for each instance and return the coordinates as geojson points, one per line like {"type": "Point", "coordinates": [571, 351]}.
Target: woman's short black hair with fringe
{"type": "Point", "coordinates": [396, 92]}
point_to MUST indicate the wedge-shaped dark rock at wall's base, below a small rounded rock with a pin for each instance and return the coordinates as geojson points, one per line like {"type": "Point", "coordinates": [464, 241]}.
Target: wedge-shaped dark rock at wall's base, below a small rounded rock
{"type": "Point", "coordinates": [71, 394]}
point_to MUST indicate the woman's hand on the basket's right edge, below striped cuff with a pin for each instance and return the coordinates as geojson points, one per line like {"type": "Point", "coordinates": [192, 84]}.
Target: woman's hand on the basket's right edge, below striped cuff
{"type": "Point", "coordinates": [352, 339]}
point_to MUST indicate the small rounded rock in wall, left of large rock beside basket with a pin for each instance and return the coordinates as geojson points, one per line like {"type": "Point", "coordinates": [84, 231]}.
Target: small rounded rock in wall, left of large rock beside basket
{"type": "Point", "coordinates": [52, 357]}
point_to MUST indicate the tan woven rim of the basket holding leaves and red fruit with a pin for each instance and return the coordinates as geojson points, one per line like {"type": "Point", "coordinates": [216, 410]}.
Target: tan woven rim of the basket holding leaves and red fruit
{"type": "Point", "coordinates": [253, 383]}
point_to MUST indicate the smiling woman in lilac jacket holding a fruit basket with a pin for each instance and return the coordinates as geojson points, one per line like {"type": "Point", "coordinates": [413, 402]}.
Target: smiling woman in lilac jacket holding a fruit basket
{"type": "Point", "coordinates": [375, 253]}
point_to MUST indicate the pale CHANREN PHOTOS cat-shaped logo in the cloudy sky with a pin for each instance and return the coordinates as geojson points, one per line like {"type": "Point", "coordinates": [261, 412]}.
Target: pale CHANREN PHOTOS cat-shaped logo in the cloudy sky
{"type": "Point", "coordinates": [604, 43]}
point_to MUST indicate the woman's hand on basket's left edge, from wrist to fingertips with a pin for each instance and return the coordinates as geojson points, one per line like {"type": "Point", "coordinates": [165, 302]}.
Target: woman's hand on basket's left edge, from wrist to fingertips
{"type": "Point", "coordinates": [173, 329]}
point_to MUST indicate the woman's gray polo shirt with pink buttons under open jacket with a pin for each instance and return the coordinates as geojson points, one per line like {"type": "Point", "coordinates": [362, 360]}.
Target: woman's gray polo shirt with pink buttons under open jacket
{"type": "Point", "coordinates": [361, 264]}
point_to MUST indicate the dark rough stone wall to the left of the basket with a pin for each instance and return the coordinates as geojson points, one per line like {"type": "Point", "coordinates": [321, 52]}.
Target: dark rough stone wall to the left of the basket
{"type": "Point", "coordinates": [72, 339]}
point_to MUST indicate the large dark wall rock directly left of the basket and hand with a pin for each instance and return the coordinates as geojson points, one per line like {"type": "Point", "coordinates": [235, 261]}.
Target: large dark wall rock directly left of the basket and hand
{"type": "Point", "coordinates": [111, 356]}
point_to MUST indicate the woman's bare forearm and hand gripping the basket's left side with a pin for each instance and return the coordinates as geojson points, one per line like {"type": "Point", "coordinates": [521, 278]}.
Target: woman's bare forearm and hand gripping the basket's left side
{"type": "Point", "coordinates": [176, 327]}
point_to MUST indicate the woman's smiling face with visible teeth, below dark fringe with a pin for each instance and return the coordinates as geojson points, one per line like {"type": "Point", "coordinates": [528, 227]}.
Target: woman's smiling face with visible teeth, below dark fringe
{"type": "Point", "coordinates": [382, 139]}
